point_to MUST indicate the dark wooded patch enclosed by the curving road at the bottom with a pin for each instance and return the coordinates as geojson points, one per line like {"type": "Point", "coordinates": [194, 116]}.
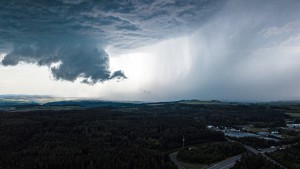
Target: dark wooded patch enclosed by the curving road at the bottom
{"type": "Point", "coordinates": [211, 152]}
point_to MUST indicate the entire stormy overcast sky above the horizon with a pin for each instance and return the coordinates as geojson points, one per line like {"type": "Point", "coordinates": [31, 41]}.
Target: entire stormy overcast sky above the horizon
{"type": "Point", "coordinates": [151, 50]}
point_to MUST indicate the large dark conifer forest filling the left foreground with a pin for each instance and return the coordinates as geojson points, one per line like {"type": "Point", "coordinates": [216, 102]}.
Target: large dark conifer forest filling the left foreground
{"type": "Point", "coordinates": [96, 138]}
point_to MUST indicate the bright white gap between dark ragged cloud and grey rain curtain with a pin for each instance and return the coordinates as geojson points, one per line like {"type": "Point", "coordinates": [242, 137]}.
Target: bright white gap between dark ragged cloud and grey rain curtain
{"type": "Point", "coordinates": [155, 70]}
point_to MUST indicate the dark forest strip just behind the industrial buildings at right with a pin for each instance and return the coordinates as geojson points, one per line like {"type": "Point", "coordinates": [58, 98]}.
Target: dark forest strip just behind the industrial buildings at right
{"type": "Point", "coordinates": [228, 115]}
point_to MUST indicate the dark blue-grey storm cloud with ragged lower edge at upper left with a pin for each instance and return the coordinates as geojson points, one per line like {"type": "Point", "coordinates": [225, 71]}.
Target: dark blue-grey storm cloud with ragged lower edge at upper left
{"type": "Point", "coordinates": [74, 33]}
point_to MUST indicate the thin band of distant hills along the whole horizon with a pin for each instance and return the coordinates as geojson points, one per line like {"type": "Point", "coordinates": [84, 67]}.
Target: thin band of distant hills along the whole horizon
{"type": "Point", "coordinates": [37, 102]}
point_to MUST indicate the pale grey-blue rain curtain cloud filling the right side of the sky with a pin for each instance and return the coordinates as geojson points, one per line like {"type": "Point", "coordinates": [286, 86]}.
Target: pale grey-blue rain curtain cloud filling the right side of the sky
{"type": "Point", "coordinates": [249, 50]}
